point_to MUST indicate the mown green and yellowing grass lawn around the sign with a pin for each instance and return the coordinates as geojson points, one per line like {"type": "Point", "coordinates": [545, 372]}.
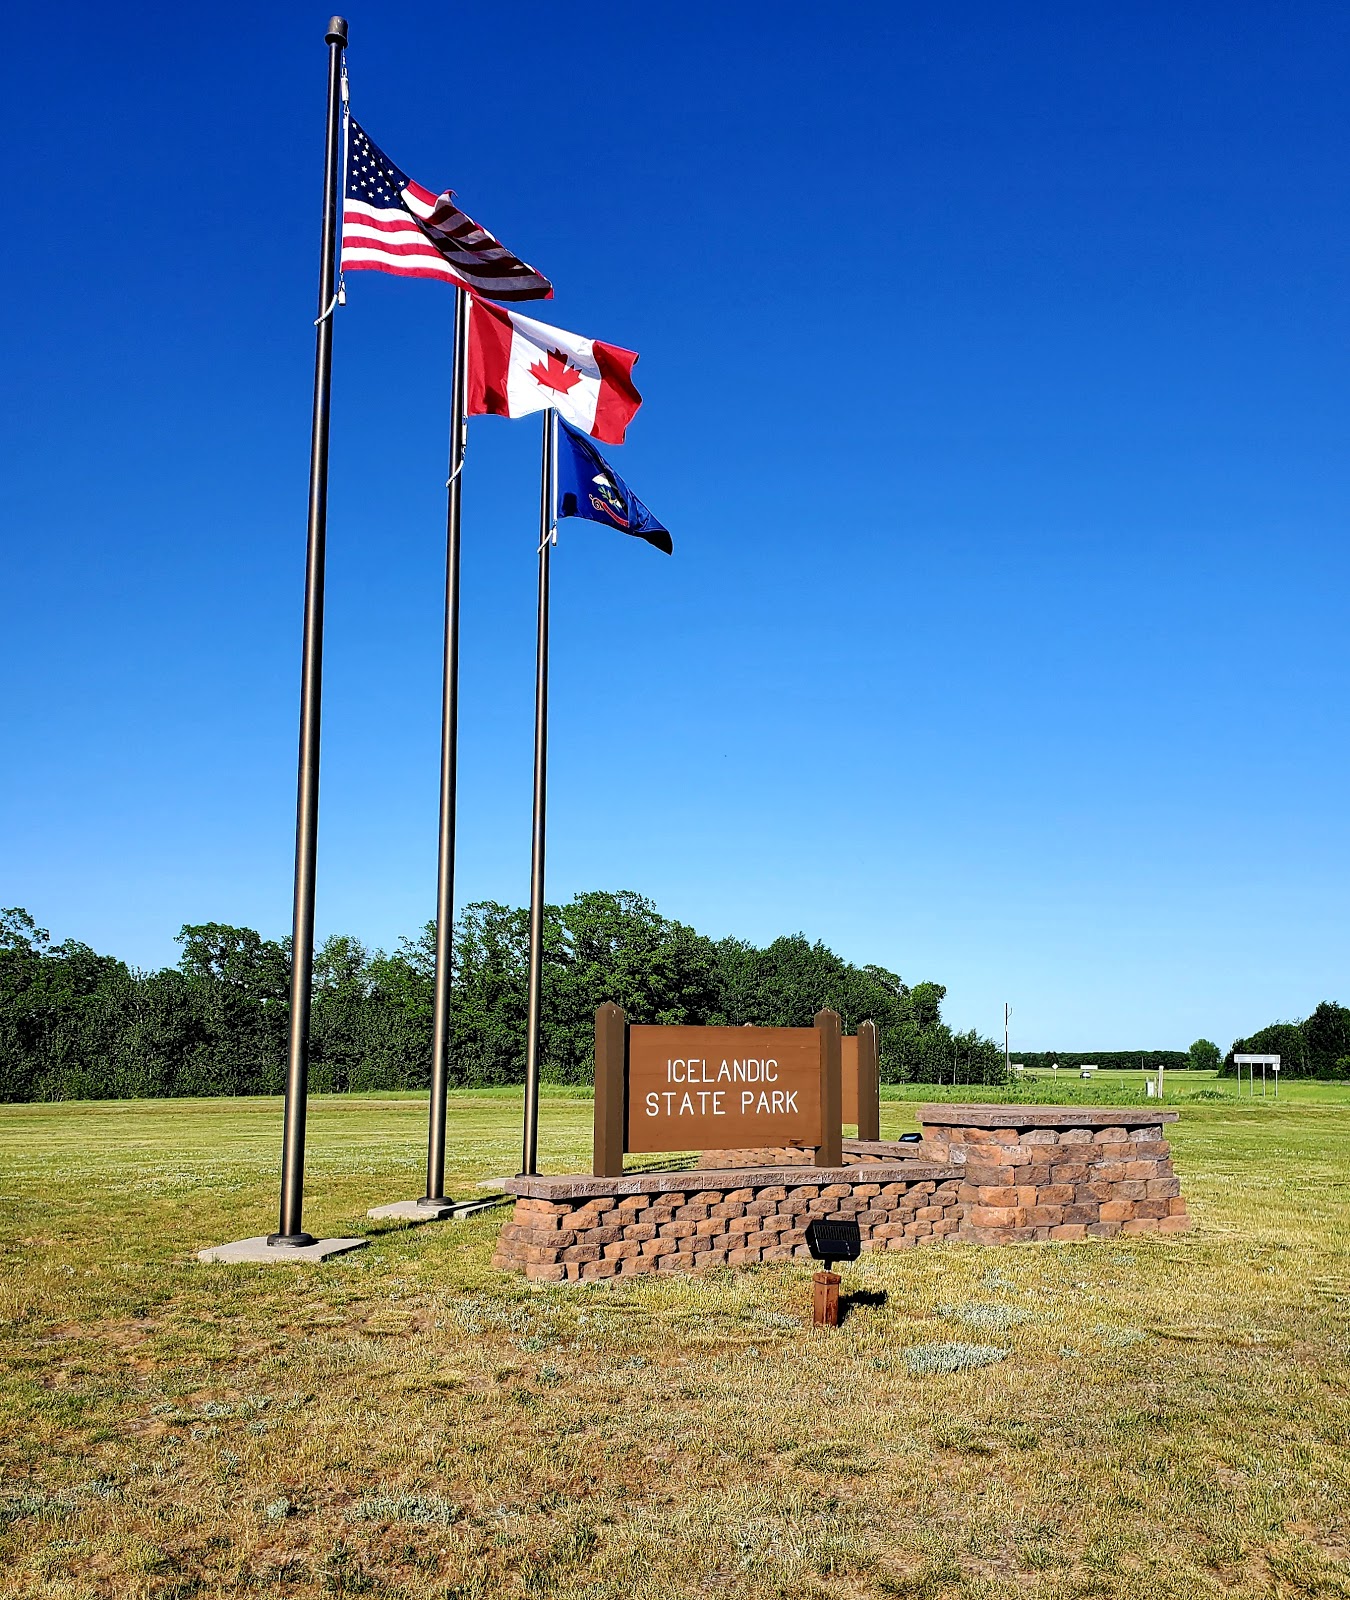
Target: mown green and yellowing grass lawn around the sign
{"type": "Point", "coordinates": [1160, 1418]}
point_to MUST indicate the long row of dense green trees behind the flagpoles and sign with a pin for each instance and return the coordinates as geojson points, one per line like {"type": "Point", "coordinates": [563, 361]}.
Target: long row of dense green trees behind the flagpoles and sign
{"type": "Point", "coordinates": [76, 1025]}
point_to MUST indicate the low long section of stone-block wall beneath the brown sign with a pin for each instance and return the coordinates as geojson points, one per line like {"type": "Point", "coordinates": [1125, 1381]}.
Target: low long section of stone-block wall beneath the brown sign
{"type": "Point", "coordinates": [604, 1228]}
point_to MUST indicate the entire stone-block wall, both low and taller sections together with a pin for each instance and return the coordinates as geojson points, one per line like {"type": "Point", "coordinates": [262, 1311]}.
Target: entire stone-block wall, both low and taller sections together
{"type": "Point", "coordinates": [988, 1175]}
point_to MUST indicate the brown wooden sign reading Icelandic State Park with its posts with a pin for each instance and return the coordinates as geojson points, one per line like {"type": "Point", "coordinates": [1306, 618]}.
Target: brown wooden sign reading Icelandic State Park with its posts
{"type": "Point", "coordinates": [716, 1089]}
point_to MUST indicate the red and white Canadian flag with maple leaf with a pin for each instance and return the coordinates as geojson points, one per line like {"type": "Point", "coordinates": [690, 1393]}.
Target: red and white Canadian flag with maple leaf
{"type": "Point", "coordinates": [519, 366]}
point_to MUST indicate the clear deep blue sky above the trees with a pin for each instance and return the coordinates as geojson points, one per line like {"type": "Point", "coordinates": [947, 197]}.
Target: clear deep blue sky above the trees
{"type": "Point", "coordinates": [996, 394]}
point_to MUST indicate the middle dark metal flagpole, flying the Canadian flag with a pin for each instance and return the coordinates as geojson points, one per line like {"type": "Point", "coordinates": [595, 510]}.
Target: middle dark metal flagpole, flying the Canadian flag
{"type": "Point", "coordinates": [449, 769]}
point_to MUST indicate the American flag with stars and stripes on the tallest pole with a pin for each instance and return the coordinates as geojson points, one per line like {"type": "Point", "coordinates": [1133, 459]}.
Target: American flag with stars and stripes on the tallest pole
{"type": "Point", "coordinates": [393, 225]}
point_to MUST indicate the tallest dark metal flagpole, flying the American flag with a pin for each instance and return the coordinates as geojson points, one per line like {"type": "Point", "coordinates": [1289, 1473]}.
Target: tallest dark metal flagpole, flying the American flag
{"type": "Point", "coordinates": [290, 1228]}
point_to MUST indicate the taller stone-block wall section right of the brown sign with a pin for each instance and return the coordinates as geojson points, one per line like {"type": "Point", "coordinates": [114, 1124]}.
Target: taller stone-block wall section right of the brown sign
{"type": "Point", "coordinates": [1058, 1172]}
